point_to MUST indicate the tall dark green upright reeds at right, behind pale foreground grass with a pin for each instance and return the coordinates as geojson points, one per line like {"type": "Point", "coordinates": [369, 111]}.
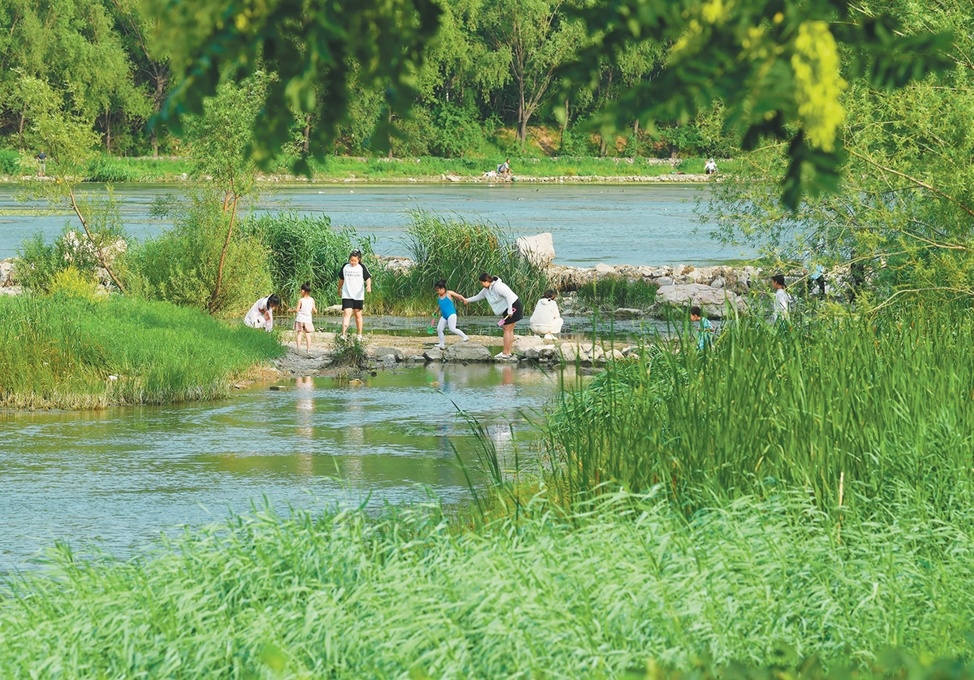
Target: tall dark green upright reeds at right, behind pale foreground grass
{"type": "Point", "coordinates": [865, 404]}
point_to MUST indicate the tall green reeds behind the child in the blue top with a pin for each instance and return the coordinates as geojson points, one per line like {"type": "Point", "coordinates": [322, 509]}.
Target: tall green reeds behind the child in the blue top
{"type": "Point", "coordinates": [458, 251]}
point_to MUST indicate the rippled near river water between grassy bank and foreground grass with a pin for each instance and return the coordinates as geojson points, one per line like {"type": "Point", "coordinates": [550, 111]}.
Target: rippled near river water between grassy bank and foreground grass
{"type": "Point", "coordinates": [118, 478]}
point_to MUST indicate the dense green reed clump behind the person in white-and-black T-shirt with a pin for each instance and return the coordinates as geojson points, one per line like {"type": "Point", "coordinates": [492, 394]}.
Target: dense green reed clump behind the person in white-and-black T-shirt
{"type": "Point", "coordinates": [305, 249]}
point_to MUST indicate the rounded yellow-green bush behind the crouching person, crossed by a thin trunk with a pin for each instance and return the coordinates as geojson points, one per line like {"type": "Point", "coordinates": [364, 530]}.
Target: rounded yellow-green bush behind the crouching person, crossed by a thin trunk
{"type": "Point", "coordinates": [180, 266]}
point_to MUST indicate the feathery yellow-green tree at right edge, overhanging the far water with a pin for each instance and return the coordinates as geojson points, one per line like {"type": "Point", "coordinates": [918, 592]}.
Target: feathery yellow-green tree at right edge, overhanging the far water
{"type": "Point", "coordinates": [905, 214]}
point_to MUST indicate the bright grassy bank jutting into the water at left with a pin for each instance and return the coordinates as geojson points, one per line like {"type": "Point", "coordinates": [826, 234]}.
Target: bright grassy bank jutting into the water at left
{"type": "Point", "coordinates": [70, 352]}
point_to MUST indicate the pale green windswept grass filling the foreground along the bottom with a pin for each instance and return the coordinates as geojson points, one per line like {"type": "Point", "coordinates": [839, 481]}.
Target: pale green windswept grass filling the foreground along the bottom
{"type": "Point", "coordinates": [625, 582]}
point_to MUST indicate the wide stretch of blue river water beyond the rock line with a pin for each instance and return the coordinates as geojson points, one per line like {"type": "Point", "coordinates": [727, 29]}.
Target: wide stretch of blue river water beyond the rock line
{"type": "Point", "coordinates": [615, 224]}
